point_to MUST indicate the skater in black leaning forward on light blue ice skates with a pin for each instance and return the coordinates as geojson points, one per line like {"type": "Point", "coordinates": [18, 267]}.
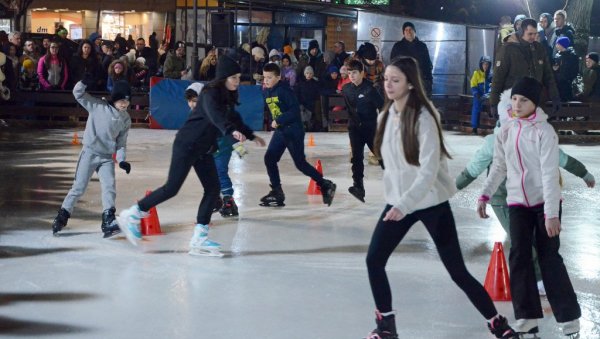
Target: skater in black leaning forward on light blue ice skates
{"type": "Point", "coordinates": [194, 146]}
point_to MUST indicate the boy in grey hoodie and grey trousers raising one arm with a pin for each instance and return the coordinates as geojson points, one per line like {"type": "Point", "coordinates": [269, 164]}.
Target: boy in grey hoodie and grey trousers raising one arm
{"type": "Point", "coordinates": [105, 133]}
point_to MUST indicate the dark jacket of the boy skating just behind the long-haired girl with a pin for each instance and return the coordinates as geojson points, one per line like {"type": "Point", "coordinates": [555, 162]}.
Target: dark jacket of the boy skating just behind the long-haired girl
{"type": "Point", "coordinates": [362, 103]}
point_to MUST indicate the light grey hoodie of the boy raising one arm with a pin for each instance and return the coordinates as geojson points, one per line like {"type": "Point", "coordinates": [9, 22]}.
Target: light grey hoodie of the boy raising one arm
{"type": "Point", "coordinates": [106, 128]}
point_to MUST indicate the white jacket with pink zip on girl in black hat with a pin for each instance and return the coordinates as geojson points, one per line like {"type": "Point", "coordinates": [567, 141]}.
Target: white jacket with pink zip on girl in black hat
{"type": "Point", "coordinates": [526, 153]}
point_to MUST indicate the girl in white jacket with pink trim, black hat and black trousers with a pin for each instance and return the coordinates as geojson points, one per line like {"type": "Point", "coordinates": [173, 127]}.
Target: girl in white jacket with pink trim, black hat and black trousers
{"type": "Point", "coordinates": [526, 154]}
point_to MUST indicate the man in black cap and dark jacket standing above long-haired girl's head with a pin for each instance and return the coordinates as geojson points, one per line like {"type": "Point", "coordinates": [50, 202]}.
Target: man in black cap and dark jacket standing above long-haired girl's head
{"type": "Point", "coordinates": [411, 46]}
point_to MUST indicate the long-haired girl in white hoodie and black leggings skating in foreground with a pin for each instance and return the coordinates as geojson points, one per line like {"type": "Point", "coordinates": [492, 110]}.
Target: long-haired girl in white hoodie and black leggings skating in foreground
{"type": "Point", "coordinates": [417, 187]}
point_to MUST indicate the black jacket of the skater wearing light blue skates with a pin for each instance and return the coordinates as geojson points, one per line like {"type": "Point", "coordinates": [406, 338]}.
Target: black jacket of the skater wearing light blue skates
{"type": "Point", "coordinates": [211, 119]}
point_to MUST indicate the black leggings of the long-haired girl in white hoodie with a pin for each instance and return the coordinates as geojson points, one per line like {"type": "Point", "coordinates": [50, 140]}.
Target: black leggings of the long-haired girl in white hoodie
{"type": "Point", "coordinates": [439, 222]}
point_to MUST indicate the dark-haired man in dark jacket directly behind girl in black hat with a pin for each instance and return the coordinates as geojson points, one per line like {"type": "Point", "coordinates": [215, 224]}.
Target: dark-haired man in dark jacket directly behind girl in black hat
{"type": "Point", "coordinates": [526, 57]}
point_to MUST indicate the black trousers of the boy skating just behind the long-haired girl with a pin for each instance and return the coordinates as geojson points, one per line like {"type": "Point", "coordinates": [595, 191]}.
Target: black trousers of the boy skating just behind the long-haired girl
{"type": "Point", "coordinates": [359, 137]}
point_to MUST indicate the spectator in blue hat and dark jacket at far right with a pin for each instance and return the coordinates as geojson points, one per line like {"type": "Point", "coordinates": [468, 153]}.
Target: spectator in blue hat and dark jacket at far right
{"type": "Point", "coordinates": [566, 67]}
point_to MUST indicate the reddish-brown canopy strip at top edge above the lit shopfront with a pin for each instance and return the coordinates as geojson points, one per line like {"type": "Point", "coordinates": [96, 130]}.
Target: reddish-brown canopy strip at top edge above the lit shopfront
{"type": "Point", "coordinates": [107, 5]}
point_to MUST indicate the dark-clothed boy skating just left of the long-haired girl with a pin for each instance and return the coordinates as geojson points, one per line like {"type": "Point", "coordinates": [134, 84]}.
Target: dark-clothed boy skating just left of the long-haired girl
{"type": "Point", "coordinates": [362, 103]}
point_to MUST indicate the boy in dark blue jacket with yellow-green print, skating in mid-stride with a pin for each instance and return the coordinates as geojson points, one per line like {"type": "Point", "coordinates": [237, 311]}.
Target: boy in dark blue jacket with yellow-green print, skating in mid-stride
{"type": "Point", "coordinates": [289, 133]}
